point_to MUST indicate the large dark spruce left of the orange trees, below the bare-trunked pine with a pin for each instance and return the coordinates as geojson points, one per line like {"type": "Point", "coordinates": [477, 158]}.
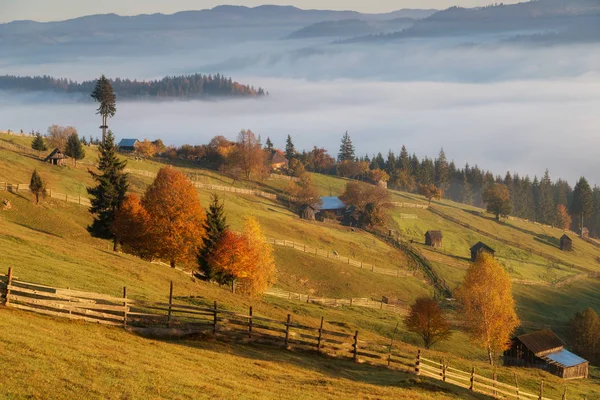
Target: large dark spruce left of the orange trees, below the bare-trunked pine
{"type": "Point", "coordinates": [109, 192]}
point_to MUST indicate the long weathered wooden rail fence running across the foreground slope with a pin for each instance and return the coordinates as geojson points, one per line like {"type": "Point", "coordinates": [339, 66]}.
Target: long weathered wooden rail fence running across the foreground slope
{"type": "Point", "coordinates": [179, 318]}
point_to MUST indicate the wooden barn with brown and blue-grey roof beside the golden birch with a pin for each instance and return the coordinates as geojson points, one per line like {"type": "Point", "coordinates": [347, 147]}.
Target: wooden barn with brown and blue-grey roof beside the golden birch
{"type": "Point", "coordinates": [544, 350]}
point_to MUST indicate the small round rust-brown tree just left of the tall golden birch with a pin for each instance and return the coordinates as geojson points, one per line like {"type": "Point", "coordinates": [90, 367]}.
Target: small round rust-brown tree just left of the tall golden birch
{"type": "Point", "coordinates": [426, 319]}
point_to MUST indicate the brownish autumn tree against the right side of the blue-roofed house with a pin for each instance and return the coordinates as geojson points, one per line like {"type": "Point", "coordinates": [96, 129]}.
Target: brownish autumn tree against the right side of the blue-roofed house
{"type": "Point", "coordinates": [370, 203]}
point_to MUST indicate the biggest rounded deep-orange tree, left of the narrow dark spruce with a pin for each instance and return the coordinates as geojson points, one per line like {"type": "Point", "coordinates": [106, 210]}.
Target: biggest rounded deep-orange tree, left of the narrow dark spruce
{"type": "Point", "coordinates": [176, 217]}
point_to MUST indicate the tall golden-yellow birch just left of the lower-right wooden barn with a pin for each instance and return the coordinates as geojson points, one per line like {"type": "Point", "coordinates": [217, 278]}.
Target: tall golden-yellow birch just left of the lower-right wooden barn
{"type": "Point", "coordinates": [487, 305]}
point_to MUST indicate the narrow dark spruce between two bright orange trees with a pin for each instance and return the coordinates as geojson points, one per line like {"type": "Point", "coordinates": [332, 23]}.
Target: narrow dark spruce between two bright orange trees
{"type": "Point", "coordinates": [215, 227]}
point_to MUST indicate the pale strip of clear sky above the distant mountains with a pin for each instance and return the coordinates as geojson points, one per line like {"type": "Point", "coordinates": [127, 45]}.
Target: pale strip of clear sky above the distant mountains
{"type": "Point", "coordinates": [52, 10]}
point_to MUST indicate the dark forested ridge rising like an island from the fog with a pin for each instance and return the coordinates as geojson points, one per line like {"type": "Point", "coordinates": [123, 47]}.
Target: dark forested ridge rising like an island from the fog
{"type": "Point", "coordinates": [181, 87]}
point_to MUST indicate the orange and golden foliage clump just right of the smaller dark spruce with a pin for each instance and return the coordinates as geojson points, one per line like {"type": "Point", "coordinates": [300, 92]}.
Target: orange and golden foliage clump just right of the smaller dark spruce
{"type": "Point", "coordinates": [246, 258]}
